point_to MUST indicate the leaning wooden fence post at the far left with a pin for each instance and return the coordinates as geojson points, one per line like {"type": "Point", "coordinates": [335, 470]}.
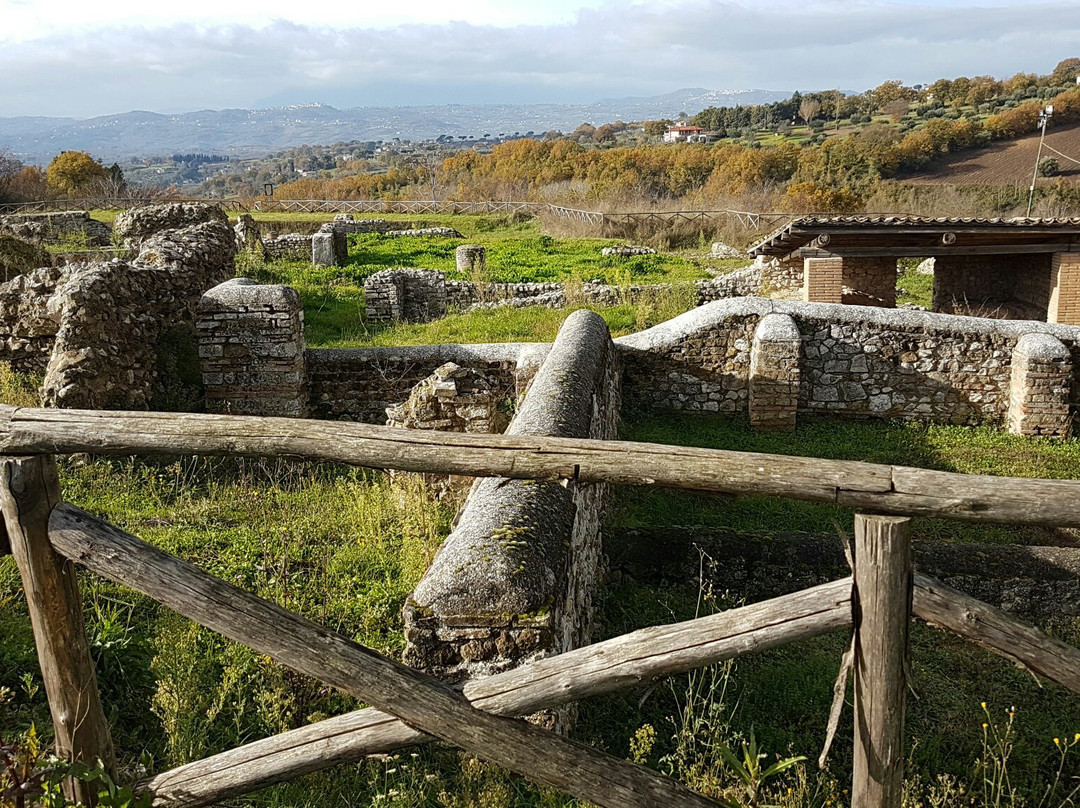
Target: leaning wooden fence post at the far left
{"type": "Point", "coordinates": [30, 491]}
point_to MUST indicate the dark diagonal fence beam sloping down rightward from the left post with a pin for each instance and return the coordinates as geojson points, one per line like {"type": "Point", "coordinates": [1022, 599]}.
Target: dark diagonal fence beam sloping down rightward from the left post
{"type": "Point", "coordinates": [424, 703]}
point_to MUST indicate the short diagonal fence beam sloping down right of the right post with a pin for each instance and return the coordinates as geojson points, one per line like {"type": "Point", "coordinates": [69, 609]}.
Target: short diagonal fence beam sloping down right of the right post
{"type": "Point", "coordinates": [997, 631]}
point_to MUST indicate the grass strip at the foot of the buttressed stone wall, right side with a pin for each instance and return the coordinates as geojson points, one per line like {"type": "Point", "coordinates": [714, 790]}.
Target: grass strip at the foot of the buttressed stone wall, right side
{"type": "Point", "coordinates": [966, 450]}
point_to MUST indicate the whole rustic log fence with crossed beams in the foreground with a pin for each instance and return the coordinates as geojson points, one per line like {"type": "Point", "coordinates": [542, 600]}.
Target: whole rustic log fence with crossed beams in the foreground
{"type": "Point", "coordinates": [49, 537]}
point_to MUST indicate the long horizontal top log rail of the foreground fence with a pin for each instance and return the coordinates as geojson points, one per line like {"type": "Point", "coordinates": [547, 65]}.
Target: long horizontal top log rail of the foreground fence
{"type": "Point", "coordinates": [863, 487]}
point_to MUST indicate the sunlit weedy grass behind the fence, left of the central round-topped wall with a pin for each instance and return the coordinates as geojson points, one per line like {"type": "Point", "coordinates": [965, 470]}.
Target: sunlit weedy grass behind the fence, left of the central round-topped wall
{"type": "Point", "coordinates": [343, 547]}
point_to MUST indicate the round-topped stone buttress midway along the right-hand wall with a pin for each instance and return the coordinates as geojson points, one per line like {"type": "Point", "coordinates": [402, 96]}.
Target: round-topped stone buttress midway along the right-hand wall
{"type": "Point", "coordinates": [775, 374]}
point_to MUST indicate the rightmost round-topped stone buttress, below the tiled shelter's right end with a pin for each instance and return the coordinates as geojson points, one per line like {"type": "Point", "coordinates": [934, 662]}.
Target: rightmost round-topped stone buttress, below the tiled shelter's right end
{"type": "Point", "coordinates": [1039, 387]}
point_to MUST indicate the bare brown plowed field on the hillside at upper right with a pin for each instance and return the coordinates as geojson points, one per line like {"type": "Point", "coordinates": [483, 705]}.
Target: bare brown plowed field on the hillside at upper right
{"type": "Point", "coordinates": [1009, 164]}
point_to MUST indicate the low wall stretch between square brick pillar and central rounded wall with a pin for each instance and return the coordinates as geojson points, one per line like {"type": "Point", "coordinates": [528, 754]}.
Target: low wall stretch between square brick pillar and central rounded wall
{"type": "Point", "coordinates": [358, 385]}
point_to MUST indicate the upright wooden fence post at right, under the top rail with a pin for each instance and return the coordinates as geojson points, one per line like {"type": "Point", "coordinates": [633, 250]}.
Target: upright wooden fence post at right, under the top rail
{"type": "Point", "coordinates": [883, 609]}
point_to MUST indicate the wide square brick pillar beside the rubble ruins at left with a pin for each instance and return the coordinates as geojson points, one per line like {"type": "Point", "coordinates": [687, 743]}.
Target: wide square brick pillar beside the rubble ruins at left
{"type": "Point", "coordinates": [251, 343]}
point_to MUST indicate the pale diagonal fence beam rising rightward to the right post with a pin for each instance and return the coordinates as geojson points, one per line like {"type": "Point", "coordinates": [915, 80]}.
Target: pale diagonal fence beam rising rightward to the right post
{"type": "Point", "coordinates": [631, 659]}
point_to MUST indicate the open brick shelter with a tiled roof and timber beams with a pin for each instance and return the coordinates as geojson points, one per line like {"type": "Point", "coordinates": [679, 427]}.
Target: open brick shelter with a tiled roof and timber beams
{"type": "Point", "coordinates": [1014, 270]}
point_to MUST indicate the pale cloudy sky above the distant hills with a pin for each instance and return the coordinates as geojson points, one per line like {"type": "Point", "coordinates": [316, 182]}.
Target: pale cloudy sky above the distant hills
{"type": "Point", "coordinates": [82, 60]}
